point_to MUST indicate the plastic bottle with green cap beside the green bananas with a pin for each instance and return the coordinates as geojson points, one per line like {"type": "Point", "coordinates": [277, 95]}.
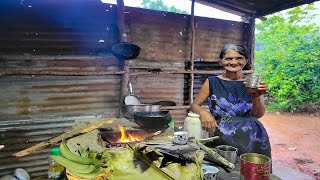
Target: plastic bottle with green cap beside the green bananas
{"type": "Point", "coordinates": [55, 171]}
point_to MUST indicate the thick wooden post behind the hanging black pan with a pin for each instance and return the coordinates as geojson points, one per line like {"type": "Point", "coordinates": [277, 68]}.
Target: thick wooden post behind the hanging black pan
{"type": "Point", "coordinates": [123, 38]}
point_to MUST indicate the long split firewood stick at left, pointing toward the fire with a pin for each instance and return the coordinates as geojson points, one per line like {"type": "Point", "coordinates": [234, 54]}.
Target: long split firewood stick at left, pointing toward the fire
{"type": "Point", "coordinates": [74, 132]}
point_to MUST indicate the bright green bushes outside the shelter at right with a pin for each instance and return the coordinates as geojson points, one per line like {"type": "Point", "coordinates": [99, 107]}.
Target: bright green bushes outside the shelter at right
{"type": "Point", "coordinates": [288, 57]}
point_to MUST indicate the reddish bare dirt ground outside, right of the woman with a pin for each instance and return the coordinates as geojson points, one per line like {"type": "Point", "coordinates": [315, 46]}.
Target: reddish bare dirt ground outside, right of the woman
{"type": "Point", "coordinates": [295, 141]}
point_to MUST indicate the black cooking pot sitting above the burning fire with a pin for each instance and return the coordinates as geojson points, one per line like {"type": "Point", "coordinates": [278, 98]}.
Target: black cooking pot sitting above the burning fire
{"type": "Point", "coordinates": [153, 119]}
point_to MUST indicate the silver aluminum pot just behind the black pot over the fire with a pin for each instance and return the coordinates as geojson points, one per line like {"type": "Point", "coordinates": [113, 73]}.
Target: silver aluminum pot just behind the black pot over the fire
{"type": "Point", "coordinates": [128, 111]}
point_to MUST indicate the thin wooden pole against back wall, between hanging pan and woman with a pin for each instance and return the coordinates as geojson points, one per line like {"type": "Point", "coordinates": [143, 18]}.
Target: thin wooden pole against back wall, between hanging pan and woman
{"type": "Point", "coordinates": [193, 32]}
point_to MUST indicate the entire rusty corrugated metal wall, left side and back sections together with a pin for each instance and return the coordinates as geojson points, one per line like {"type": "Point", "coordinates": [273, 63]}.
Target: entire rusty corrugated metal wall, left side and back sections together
{"type": "Point", "coordinates": [70, 44]}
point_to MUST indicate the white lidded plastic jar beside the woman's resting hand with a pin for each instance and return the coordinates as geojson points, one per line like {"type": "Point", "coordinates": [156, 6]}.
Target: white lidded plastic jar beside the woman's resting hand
{"type": "Point", "coordinates": [192, 125]}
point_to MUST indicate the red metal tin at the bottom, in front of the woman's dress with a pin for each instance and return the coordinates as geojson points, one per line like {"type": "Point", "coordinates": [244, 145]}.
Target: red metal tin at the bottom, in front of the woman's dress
{"type": "Point", "coordinates": [254, 166]}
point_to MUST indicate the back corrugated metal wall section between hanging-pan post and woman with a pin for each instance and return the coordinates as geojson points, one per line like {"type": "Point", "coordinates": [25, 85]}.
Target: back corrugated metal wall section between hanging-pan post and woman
{"type": "Point", "coordinates": [166, 44]}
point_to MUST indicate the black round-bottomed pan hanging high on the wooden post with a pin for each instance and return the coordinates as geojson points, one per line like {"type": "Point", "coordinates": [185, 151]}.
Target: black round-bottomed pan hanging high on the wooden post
{"type": "Point", "coordinates": [125, 51]}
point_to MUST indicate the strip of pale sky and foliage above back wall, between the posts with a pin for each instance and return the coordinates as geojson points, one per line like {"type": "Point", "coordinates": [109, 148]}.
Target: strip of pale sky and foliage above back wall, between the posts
{"type": "Point", "coordinates": [160, 6]}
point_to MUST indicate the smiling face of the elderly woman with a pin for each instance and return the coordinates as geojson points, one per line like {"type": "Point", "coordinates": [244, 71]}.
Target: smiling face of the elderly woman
{"type": "Point", "coordinates": [233, 61]}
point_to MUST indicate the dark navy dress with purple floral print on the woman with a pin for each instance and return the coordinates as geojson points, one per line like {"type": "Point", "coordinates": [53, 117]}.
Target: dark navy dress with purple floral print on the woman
{"type": "Point", "coordinates": [230, 104]}
